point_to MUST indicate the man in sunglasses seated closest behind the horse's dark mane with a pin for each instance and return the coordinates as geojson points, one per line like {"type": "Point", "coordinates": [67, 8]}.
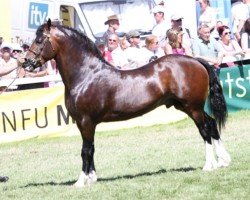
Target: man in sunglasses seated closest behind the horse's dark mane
{"type": "Point", "coordinates": [116, 55]}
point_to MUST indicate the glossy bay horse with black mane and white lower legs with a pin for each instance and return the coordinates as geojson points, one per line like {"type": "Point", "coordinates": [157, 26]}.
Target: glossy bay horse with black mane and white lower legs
{"type": "Point", "coordinates": [96, 91]}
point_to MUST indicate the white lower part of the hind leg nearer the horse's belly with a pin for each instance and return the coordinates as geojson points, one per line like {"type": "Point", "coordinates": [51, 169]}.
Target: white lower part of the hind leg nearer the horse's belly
{"type": "Point", "coordinates": [210, 163]}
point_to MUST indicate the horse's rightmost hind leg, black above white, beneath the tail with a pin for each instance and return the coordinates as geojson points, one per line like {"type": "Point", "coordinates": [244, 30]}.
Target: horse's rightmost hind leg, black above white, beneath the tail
{"type": "Point", "coordinates": [223, 156]}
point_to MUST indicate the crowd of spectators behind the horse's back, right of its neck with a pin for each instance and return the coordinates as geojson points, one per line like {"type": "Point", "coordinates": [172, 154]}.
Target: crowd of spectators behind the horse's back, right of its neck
{"type": "Point", "coordinates": [215, 41]}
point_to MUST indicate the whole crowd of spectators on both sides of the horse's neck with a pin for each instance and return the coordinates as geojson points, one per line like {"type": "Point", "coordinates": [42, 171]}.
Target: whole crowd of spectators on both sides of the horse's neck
{"type": "Point", "coordinates": [216, 42]}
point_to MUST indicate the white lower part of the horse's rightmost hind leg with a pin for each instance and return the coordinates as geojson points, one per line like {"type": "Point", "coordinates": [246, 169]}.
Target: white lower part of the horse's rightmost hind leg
{"type": "Point", "coordinates": [223, 157]}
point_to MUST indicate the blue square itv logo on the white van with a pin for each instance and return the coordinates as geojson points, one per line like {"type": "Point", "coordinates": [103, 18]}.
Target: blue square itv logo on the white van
{"type": "Point", "coordinates": [38, 13]}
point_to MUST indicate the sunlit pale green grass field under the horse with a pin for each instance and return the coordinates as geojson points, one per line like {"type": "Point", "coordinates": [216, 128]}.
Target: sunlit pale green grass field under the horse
{"type": "Point", "coordinates": [158, 162]}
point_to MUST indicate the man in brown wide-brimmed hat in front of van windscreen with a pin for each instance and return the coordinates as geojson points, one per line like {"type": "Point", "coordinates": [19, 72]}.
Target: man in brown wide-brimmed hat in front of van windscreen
{"type": "Point", "coordinates": [113, 26]}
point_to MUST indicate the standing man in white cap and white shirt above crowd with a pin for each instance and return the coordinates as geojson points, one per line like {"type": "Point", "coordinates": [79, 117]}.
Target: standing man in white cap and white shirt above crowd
{"type": "Point", "coordinates": [161, 25]}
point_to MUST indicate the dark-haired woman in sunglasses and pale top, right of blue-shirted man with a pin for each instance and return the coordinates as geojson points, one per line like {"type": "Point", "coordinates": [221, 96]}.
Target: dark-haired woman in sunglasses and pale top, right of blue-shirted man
{"type": "Point", "coordinates": [230, 47]}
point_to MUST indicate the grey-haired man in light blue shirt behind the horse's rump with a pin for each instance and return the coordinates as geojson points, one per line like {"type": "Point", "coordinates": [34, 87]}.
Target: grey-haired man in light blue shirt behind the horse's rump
{"type": "Point", "coordinates": [207, 47]}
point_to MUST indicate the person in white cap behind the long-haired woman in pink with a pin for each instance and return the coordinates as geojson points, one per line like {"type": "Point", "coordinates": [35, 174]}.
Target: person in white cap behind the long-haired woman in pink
{"type": "Point", "coordinates": [176, 24]}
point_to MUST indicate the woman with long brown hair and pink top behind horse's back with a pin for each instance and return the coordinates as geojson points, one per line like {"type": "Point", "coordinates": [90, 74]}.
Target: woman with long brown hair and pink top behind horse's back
{"type": "Point", "coordinates": [175, 43]}
